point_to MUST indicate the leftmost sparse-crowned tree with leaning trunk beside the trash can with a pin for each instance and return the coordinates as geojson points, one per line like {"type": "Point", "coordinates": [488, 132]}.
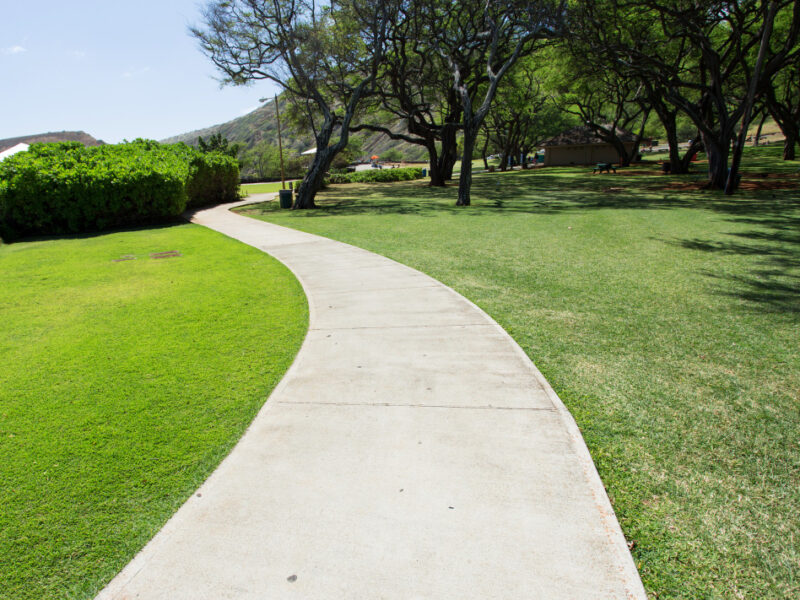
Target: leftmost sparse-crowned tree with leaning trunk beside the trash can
{"type": "Point", "coordinates": [325, 56]}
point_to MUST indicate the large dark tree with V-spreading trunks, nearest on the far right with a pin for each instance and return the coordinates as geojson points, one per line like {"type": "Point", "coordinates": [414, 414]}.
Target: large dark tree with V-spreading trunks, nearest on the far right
{"type": "Point", "coordinates": [717, 55]}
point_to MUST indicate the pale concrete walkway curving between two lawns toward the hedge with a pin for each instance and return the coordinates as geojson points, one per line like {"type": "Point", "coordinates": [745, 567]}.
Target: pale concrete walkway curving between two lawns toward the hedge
{"type": "Point", "coordinates": [411, 451]}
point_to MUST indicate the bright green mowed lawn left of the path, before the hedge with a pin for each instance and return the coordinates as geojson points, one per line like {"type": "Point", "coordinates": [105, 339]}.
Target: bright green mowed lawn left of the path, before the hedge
{"type": "Point", "coordinates": [122, 386]}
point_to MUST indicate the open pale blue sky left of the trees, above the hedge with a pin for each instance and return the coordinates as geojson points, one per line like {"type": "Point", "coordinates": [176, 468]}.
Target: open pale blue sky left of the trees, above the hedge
{"type": "Point", "coordinates": [116, 70]}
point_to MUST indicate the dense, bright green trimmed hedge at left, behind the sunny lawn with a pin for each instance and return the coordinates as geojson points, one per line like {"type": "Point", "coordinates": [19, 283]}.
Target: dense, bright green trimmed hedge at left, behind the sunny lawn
{"type": "Point", "coordinates": [65, 188]}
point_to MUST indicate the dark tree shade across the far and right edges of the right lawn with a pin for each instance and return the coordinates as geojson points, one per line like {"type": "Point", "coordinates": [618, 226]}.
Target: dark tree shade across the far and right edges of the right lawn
{"type": "Point", "coordinates": [773, 242]}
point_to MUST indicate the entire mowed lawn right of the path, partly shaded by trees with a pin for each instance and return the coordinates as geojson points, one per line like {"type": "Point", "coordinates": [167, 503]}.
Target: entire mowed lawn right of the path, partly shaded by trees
{"type": "Point", "coordinates": [668, 320]}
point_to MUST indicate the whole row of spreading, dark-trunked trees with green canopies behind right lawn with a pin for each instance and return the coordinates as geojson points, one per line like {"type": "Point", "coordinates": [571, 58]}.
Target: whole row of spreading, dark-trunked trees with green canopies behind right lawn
{"type": "Point", "coordinates": [500, 76]}
